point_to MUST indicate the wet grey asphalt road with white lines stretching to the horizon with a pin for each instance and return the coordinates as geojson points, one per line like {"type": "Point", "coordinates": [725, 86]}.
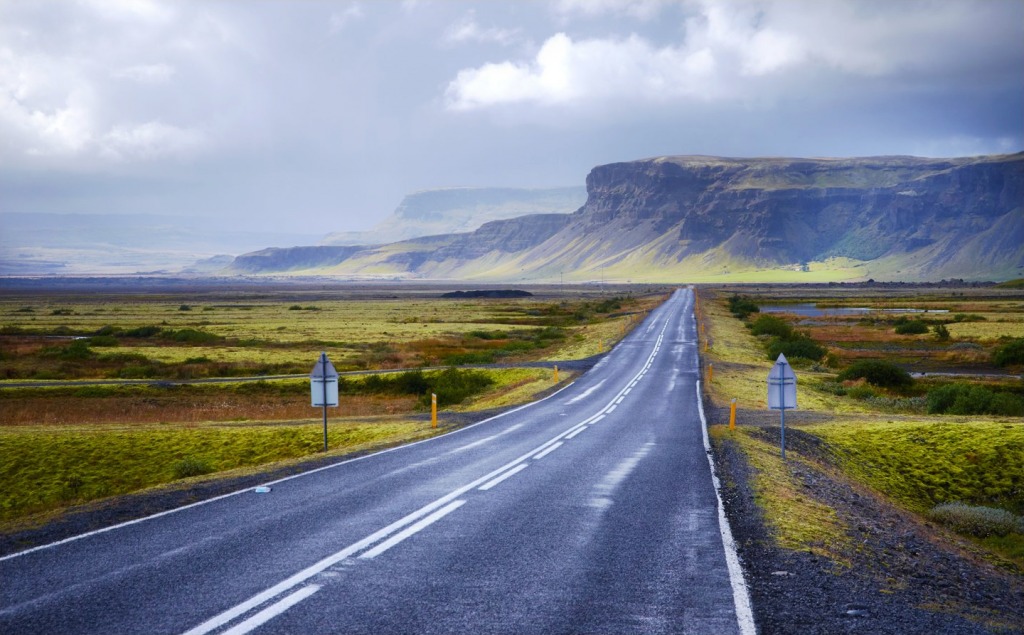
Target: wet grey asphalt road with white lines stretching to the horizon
{"type": "Point", "coordinates": [592, 512]}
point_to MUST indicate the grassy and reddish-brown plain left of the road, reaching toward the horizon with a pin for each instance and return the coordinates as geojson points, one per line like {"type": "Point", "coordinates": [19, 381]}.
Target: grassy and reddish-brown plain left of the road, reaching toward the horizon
{"type": "Point", "coordinates": [63, 446]}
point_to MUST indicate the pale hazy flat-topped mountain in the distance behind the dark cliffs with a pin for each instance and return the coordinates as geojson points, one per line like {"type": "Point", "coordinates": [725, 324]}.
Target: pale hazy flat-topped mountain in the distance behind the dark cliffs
{"type": "Point", "coordinates": [456, 210]}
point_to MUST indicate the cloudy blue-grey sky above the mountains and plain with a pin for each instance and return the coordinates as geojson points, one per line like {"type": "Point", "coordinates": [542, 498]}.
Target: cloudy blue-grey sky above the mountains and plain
{"type": "Point", "coordinates": [321, 116]}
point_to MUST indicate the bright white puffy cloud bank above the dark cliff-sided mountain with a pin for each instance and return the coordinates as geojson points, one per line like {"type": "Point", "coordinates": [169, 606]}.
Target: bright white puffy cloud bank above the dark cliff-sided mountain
{"type": "Point", "coordinates": [754, 50]}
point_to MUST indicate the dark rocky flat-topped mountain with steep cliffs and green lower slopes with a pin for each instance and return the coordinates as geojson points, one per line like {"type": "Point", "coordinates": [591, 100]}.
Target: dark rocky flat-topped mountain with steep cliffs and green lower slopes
{"type": "Point", "coordinates": [710, 219]}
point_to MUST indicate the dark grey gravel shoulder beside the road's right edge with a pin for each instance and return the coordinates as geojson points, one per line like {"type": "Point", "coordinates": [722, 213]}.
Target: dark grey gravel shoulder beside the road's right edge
{"type": "Point", "coordinates": [903, 576]}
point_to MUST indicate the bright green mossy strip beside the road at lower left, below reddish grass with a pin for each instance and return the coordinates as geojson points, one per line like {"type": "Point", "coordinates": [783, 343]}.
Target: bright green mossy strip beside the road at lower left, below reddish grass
{"type": "Point", "coordinates": [45, 470]}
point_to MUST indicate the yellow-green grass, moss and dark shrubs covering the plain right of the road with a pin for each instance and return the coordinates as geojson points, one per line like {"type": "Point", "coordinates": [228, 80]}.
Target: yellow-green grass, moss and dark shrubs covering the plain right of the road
{"type": "Point", "coordinates": [926, 409]}
